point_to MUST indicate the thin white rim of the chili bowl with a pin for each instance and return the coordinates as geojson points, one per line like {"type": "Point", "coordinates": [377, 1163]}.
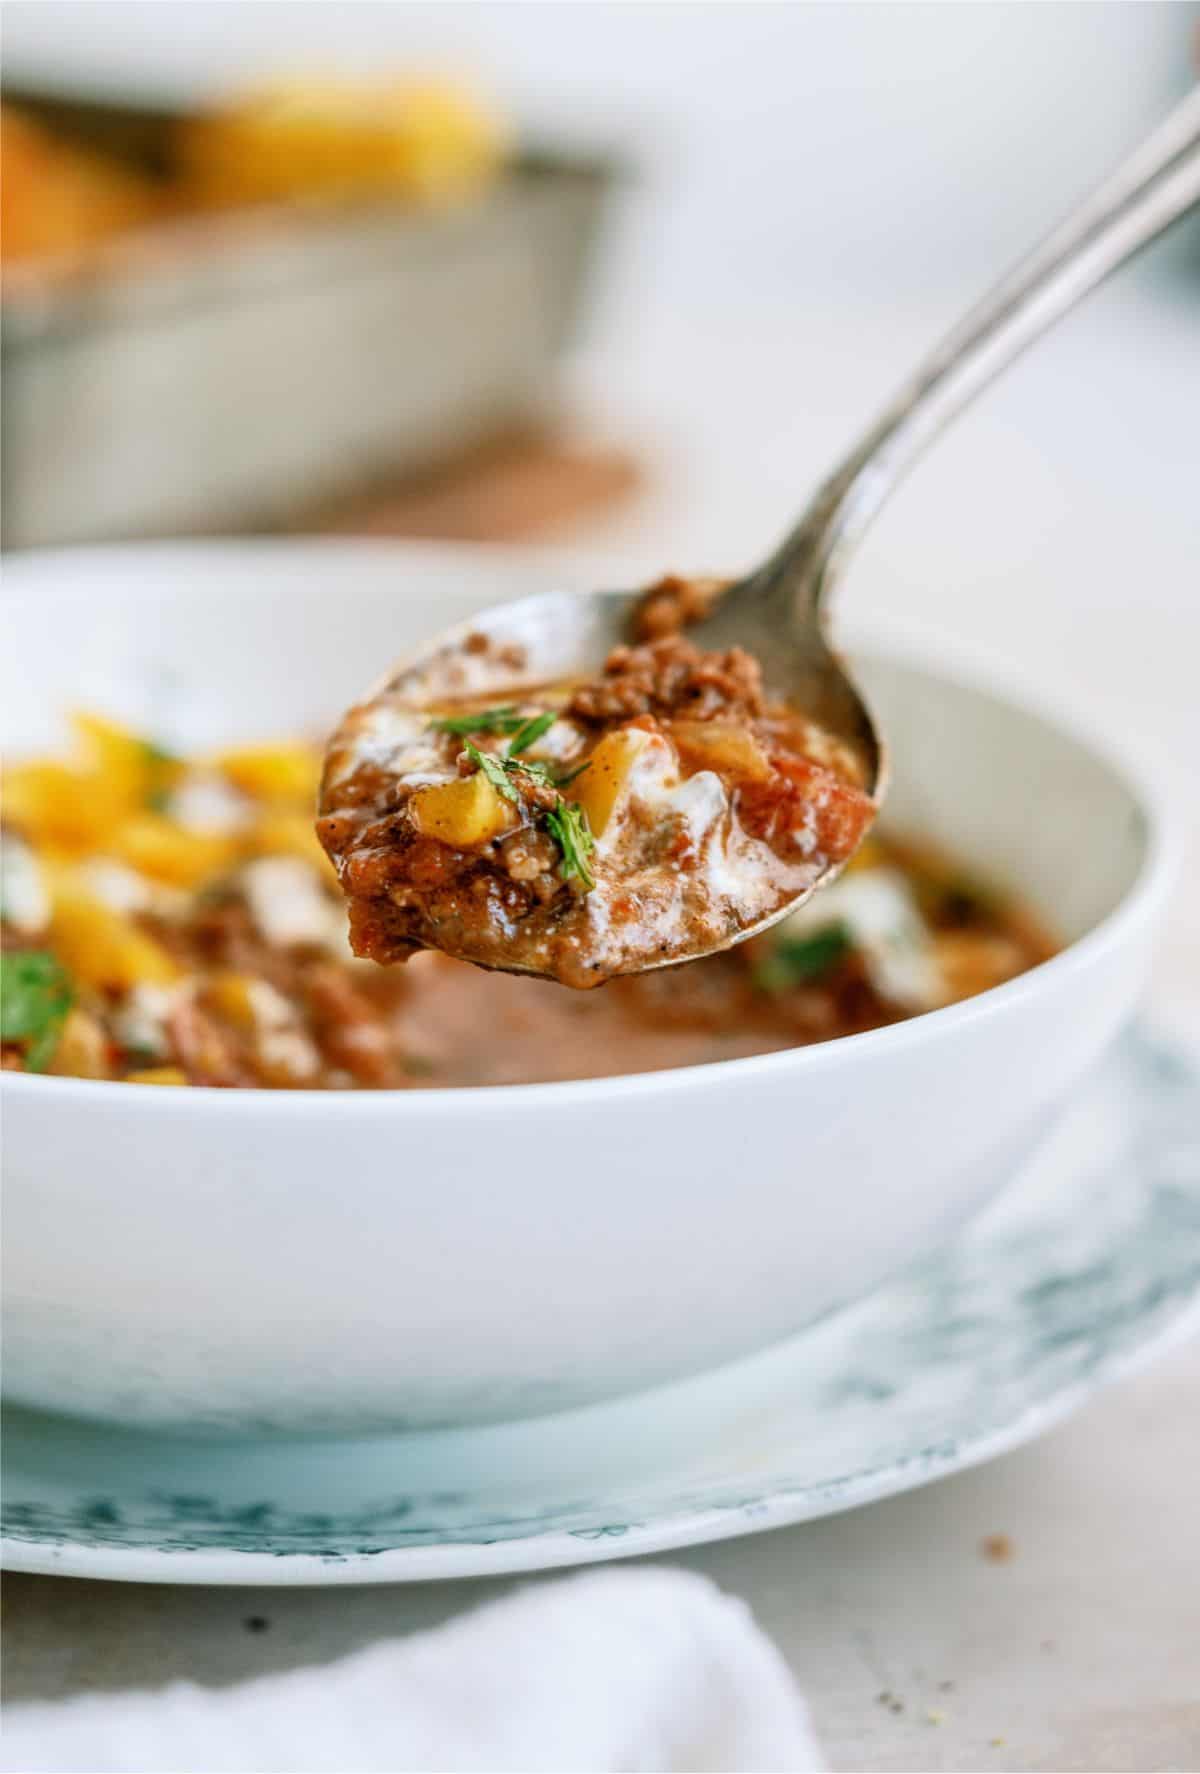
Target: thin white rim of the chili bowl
{"type": "Point", "coordinates": [954, 661]}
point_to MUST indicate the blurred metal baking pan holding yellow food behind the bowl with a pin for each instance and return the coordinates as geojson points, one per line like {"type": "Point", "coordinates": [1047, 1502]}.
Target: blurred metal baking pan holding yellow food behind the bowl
{"type": "Point", "coordinates": [226, 373]}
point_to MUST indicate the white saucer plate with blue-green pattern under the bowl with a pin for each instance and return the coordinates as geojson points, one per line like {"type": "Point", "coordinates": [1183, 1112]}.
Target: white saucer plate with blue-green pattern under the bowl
{"type": "Point", "coordinates": [1087, 1268]}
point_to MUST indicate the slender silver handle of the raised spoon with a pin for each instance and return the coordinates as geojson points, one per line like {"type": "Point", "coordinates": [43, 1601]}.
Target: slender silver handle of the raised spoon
{"type": "Point", "coordinates": [1153, 189]}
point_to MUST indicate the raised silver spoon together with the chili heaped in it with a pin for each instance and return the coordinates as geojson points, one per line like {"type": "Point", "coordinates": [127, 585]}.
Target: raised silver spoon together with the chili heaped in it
{"type": "Point", "coordinates": [608, 783]}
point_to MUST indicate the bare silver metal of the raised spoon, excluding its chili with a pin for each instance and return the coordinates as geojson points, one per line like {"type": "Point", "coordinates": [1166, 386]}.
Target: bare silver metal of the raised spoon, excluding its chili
{"type": "Point", "coordinates": [782, 611]}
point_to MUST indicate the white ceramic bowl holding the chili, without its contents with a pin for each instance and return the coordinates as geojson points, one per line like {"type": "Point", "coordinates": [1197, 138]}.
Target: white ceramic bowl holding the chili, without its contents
{"type": "Point", "coordinates": [354, 1262]}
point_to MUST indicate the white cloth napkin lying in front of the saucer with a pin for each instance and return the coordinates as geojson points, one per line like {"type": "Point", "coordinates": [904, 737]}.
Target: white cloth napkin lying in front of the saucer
{"type": "Point", "coordinates": [619, 1670]}
